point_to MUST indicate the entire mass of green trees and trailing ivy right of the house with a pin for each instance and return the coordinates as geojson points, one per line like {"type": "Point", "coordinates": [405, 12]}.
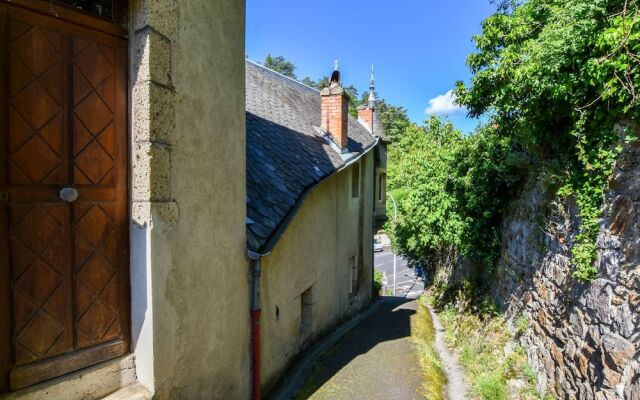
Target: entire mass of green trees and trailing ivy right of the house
{"type": "Point", "coordinates": [553, 77]}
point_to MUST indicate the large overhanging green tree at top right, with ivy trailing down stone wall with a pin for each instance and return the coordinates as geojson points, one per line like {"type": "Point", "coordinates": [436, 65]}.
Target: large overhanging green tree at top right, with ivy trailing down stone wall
{"type": "Point", "coordinates": [556, 75]}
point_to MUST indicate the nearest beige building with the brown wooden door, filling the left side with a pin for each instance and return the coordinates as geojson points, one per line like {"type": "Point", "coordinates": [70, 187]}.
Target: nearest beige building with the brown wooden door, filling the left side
{"type": "Point", "coordinates": [134, 276]}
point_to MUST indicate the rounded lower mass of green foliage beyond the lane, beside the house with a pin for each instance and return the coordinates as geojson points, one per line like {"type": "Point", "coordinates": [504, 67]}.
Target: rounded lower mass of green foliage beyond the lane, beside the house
{"type": "Point", "coordinates": [452, 190]}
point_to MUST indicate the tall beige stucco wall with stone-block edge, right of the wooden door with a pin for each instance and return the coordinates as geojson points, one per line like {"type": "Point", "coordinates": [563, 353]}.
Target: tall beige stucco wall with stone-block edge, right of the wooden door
{"type": "Point", "coordinates": [189, 272]}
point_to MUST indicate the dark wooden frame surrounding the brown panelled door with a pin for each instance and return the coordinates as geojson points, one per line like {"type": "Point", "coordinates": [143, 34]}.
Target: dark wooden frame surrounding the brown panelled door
{"type": "Point", "coordinates": [20, 377]}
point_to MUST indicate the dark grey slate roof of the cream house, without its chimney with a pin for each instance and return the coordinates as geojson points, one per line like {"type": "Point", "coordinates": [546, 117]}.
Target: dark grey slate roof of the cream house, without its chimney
{"type": "Point", "coordinates": [286, 152]}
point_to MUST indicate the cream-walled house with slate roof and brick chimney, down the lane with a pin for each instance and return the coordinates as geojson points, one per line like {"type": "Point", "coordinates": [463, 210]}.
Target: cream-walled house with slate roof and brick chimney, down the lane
{"type": "Point", "coordinates": [310, 204]}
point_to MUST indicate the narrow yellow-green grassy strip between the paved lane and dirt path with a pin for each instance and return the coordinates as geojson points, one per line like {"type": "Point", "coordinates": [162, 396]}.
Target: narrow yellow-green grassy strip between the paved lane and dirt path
{"type": "Point", "coordinates": [423, 334]}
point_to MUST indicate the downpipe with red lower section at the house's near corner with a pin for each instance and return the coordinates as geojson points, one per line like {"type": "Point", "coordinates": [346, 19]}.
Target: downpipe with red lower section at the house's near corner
{"type": "Point", "coordinates": [255, 324]}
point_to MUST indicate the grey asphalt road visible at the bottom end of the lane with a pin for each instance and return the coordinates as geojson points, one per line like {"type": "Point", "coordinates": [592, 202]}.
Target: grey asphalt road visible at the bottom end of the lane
{"type": "Point", "coordinates": [406, 284]}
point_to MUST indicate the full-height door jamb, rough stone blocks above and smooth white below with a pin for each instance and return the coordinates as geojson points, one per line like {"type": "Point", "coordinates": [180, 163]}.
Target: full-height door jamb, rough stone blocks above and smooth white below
{"type": "Point", "coordinates": [153, 26]}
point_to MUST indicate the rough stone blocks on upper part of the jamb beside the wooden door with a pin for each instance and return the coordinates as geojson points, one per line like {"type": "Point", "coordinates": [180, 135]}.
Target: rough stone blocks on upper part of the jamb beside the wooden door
{"type": "Point", "coordinates": [153, 110]}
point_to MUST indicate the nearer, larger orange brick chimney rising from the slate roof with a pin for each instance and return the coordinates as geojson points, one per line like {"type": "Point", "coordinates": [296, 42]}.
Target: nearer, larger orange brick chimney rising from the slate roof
{"type": "Point", "coordinates": [335, 111]}
